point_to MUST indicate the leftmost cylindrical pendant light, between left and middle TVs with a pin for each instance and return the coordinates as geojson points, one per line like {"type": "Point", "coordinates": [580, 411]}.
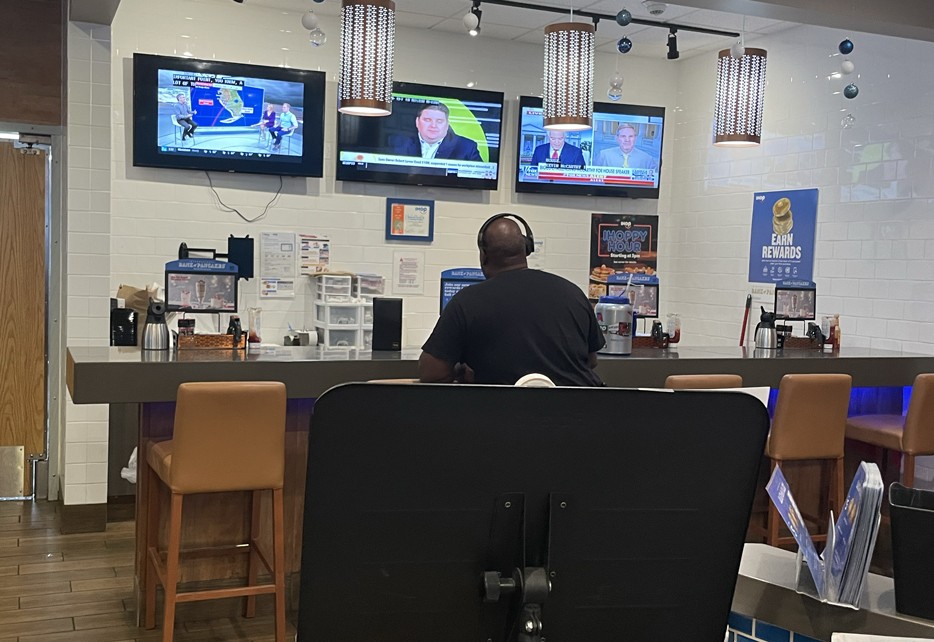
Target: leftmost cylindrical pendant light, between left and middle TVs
{"type": "Point", "coordinates": [368, 34]}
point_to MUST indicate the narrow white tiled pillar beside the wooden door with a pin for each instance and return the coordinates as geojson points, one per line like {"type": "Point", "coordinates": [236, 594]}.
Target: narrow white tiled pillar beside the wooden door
{"type": "Point", "coordinates": [84, 478]}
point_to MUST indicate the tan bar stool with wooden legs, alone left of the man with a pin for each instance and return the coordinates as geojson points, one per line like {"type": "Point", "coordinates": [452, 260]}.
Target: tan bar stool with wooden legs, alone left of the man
{"type": "Point", "coordinates": [228, 436]}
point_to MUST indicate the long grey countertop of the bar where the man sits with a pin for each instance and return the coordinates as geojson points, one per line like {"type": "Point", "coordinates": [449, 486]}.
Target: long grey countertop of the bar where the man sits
{"type": "Point", "coordinates": [122, 375]}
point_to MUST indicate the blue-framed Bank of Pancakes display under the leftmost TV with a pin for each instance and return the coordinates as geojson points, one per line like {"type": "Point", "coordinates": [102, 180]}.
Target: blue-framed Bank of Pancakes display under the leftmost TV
{"type": "Point", "coordinates": [200, 285]}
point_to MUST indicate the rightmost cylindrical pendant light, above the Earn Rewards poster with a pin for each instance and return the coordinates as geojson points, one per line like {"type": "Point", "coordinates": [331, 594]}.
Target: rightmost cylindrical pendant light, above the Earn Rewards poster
{"type": "Point", "coordinates": [740, 97]}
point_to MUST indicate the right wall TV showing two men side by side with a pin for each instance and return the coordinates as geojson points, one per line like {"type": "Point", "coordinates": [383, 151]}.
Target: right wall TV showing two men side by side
{"type": "Point", "coordinates": [621, 156]}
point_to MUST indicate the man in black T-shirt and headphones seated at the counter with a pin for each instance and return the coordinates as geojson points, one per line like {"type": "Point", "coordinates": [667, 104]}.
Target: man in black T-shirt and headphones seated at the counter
{"type": "Point", "coordinates": [516, 322]}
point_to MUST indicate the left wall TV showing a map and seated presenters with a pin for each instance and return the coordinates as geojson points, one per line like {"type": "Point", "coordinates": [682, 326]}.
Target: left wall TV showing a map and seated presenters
{"type": "Point", "coordinates": [244, 118]}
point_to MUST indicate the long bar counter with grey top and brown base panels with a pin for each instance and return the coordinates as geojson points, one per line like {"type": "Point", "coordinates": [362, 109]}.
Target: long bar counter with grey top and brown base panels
{"type": "Point", "coordinates": [143, 386]}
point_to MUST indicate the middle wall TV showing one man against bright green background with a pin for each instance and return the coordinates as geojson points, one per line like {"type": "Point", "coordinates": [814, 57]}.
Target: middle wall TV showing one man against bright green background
{"type": "Point", "coordinates": [436, 136]}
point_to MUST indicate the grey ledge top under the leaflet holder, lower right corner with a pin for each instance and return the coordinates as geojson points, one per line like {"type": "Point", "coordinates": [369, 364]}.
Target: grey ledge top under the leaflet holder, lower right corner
{"type": "Point", "coordinates": [765, 590]}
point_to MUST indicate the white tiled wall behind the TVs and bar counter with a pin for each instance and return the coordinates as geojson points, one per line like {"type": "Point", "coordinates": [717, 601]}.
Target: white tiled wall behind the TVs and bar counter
{"type": "Point", "coordinates": [875, 239]}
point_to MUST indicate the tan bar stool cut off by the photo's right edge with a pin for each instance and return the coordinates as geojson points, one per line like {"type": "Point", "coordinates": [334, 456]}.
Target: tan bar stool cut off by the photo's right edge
{"type": "Point", "coordinates": [911, 435]}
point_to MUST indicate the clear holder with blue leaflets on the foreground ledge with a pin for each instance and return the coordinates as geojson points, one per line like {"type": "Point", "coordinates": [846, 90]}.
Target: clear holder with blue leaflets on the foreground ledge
{"type": "Point", "coordinates": [839, 575]}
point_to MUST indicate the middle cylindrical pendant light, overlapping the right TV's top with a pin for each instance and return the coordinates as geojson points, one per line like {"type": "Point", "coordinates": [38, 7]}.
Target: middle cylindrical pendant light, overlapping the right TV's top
{"type": "Point", "coordinates": [567, 99]}
